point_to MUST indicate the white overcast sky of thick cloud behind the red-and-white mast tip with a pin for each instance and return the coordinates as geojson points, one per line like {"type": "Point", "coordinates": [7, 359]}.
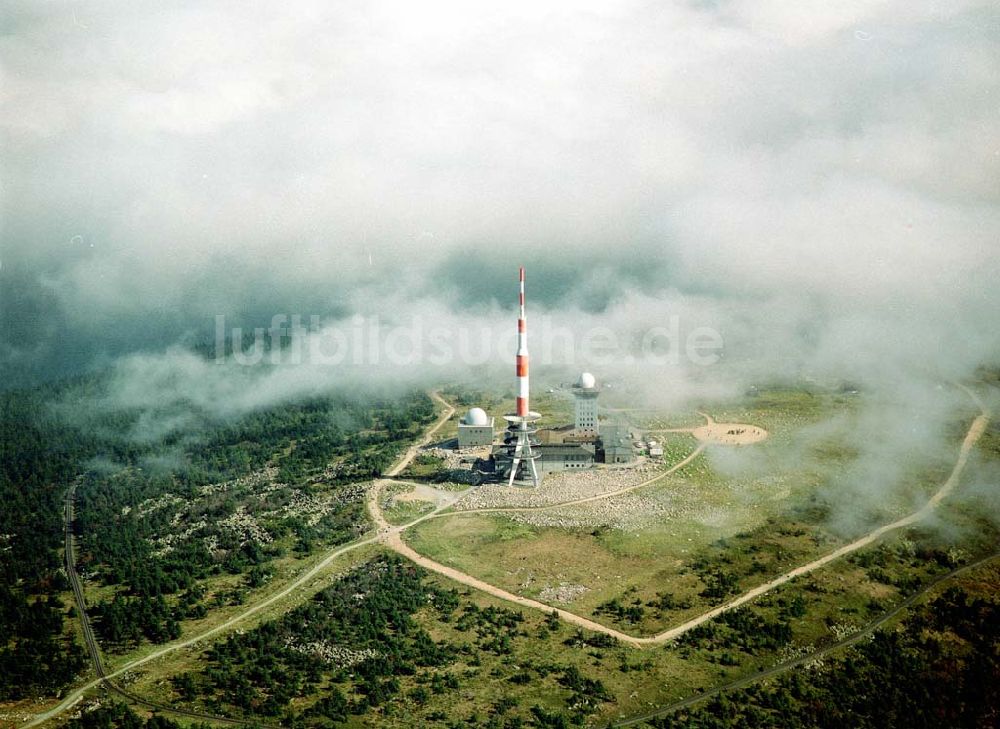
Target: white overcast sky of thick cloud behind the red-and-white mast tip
{"type": "Point", "coordinates": [818, 181]}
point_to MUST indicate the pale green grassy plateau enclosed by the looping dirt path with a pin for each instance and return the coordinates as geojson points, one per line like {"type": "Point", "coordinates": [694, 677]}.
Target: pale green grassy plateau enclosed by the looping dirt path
{"type": "Point", "coordinates": [742, 516]}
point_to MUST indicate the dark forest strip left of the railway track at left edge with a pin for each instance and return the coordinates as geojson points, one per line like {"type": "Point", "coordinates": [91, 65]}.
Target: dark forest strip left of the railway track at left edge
{"type": "Point", "coordinates": [39, 454]}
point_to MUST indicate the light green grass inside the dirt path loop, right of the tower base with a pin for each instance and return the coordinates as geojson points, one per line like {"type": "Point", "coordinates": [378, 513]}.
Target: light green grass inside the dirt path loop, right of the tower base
{"type": "Point", "coordinates": [657, 559]}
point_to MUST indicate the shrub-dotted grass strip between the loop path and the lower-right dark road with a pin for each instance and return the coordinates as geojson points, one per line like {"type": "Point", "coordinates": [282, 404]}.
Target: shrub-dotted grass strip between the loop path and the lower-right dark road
{"type": "Point", "coordinates": [530, 670]}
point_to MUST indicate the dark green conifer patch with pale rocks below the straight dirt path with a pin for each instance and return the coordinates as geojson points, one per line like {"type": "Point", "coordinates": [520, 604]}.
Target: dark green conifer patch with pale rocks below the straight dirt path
{"type": "Point", "coordinates": [358, 634]}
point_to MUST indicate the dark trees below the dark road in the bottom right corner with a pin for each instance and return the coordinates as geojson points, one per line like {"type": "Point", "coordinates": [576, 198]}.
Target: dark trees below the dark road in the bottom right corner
{"type": "Point", "coordinates": [941, 668]}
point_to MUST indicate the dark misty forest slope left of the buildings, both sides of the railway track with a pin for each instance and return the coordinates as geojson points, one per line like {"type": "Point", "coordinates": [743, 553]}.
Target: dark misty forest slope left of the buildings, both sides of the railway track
{"type": "Point", "coordinates": [53, 435]}
